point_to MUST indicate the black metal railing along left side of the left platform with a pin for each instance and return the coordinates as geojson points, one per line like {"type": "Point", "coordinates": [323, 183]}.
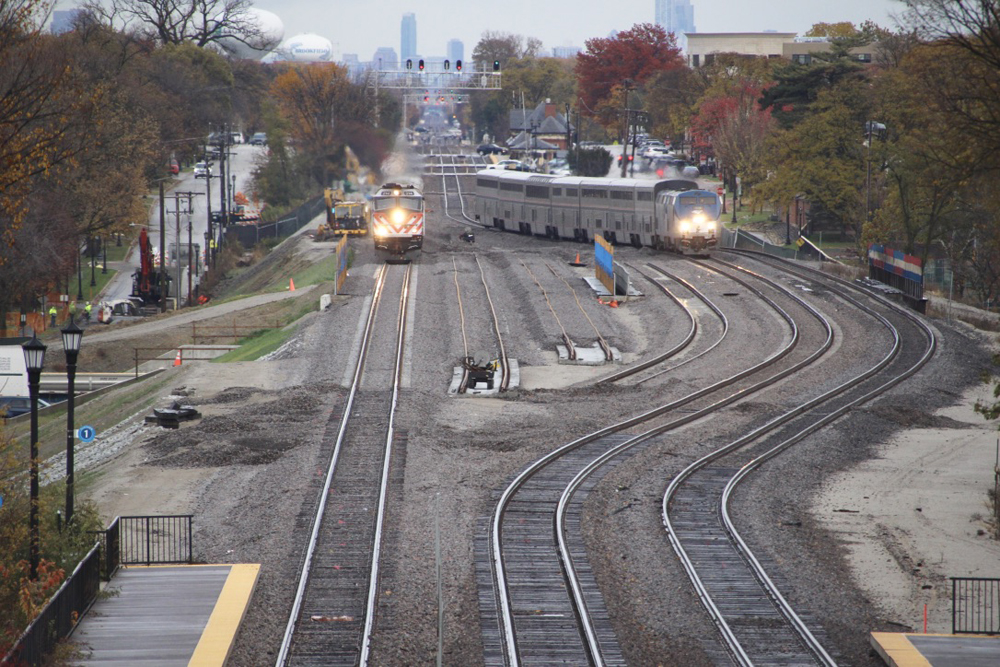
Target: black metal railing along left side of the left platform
{"type": "Point", "coordinates": [60, 614]}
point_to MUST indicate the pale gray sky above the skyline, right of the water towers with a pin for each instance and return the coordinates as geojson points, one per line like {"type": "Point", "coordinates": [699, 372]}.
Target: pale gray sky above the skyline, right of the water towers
{"type": "Point", "coordinates": [361, 26]}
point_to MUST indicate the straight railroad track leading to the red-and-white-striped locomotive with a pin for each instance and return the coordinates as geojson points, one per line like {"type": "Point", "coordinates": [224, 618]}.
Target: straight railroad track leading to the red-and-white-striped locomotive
{"type": "Point", "coordinates": [333, 614]}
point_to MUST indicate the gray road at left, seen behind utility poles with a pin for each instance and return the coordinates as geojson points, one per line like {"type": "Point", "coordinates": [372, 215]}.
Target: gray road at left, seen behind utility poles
{"type": "Point", "coordinates": [178, 222]}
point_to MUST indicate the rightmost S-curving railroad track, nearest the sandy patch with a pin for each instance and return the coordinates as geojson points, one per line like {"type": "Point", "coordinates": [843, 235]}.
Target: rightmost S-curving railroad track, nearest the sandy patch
{"type": "Point", "coordinates": [754, 619]}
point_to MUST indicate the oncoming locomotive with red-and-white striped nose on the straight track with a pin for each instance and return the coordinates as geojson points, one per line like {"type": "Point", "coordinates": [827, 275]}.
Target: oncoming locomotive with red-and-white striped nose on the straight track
{"type": "Point", "coordinates": [397, 212]}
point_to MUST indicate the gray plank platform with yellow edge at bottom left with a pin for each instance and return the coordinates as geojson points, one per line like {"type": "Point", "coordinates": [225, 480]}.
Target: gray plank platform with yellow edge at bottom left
{"type": "Point", "coordinates": [165, 616]}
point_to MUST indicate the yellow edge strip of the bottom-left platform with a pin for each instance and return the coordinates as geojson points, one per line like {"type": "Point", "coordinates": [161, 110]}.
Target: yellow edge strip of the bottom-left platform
{"type": "Point", "coordinates": [220, 632]}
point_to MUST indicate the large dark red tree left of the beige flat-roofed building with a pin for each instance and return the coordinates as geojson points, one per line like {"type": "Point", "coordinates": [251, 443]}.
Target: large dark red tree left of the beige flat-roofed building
{"type": "Point", "coordinates": [626, 60]}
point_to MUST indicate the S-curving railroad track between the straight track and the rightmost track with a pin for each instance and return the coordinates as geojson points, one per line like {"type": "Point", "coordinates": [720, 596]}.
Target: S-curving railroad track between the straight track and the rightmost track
{"type": "Point", "coordinates": [542, 598]}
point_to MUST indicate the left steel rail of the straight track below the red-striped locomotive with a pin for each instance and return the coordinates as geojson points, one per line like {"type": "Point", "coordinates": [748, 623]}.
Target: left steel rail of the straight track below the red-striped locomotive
{"type": "Point", "coordinates": [331, 468]}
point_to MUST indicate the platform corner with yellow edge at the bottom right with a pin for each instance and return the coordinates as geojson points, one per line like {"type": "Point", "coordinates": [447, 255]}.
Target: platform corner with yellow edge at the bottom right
{"type": "Point", "coordinates": [901, 649]}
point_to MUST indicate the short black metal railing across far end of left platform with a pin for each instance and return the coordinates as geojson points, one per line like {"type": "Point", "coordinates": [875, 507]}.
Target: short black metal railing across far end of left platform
{"type": "Point", "coordinates": [148, 540]}
